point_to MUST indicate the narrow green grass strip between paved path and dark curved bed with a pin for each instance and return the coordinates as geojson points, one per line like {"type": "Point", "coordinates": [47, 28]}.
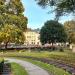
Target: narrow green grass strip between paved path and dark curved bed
{"type": "Point", "coordinates": [50, 68]}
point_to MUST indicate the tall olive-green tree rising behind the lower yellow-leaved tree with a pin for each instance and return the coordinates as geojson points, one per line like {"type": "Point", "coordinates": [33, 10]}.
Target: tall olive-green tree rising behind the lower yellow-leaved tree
{"type": "Point", "coordinates": [11, 12]}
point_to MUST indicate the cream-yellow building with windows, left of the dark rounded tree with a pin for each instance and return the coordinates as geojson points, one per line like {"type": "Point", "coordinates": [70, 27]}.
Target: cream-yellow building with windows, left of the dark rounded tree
{"type": "Point", "coordinates": [32, 38]}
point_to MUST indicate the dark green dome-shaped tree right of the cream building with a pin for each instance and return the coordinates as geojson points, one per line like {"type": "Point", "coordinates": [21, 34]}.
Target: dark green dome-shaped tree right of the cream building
{"type": "Point", "coordinates": [52, 32]}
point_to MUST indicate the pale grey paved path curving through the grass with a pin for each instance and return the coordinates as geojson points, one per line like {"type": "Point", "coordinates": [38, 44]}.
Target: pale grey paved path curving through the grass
{"type": "Point", "coordinates": [31, 69]}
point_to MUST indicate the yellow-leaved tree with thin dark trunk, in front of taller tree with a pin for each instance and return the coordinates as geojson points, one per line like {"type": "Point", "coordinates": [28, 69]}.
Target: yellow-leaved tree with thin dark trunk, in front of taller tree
{"type": "Point", "coordinates": [11, 34]}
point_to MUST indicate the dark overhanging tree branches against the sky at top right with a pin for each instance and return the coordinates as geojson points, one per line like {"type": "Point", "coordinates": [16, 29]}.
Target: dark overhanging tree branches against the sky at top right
{"type": "Point", "coordinates": [61, 7]}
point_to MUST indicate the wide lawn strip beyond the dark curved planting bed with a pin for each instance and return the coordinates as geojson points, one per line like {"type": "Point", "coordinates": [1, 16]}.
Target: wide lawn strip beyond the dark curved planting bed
{"type": "Point", "coordinates": [66, 57]}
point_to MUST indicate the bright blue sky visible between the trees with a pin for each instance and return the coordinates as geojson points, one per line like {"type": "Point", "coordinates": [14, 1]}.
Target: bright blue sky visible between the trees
{"type": "Point", "coordinates": [37, 16]}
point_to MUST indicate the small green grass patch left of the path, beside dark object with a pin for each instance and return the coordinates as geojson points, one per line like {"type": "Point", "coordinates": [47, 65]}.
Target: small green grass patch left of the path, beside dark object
{"type": "Point", "coordinates": [17, 69]}
